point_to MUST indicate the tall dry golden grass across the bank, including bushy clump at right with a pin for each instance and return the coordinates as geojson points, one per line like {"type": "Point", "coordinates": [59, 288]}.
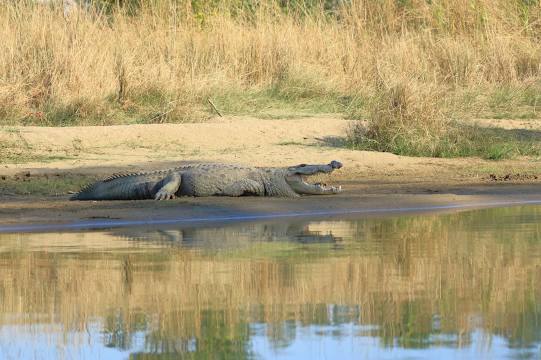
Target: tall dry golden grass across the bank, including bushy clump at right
{"type": "Point", "coordinates": [414, 70]}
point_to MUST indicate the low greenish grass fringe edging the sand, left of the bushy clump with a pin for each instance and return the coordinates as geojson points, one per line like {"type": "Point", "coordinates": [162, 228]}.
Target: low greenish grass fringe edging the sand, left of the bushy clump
{"type": "Point", "coordinates": [153, 106]}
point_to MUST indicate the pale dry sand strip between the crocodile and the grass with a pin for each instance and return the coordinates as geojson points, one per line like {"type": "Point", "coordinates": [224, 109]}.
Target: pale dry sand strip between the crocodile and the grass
{"type": "Point", "coordinates": [234, 140]}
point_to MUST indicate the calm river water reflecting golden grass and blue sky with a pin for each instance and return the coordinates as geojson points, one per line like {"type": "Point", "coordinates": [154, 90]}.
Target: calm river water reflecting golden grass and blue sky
{"type": "Point", "coordinates": [460, 285]}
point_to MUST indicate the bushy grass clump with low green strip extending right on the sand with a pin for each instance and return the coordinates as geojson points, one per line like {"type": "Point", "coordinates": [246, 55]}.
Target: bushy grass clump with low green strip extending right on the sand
{"type": "Point", "coordinates": [404, 122]}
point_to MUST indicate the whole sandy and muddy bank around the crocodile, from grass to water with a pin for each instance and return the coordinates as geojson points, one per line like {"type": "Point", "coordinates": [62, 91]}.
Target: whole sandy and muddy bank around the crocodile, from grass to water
{"type": "Point", "coordinates": [35, 184]}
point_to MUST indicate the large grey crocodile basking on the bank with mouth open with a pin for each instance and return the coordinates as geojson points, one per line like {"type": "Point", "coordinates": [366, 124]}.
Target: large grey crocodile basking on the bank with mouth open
{"type": "Point", "coordinates": [211, 180]}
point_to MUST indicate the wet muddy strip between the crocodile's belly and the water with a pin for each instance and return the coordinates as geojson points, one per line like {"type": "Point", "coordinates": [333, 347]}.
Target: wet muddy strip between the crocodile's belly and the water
{"type": "Point", "coordinates": [34, 214]}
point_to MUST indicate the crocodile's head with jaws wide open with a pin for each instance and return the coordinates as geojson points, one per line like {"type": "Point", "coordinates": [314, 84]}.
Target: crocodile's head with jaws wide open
{"type": "Point", "coordinates": [295, 178]}
